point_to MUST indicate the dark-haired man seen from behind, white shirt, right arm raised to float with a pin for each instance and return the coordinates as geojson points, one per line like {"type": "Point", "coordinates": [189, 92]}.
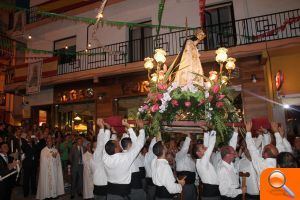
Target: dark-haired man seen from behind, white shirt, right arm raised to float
{"type": "Point", "coordinates": [118, 164]}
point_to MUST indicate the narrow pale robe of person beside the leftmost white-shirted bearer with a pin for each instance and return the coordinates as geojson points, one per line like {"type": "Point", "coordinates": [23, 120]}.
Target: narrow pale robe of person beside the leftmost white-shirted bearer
{"type": "Point", "coordinates": [88, 185]}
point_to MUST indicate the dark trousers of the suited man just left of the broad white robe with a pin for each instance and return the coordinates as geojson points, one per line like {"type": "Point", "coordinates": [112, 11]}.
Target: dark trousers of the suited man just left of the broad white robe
{"type": "Point", "coordinates": [29, 180]}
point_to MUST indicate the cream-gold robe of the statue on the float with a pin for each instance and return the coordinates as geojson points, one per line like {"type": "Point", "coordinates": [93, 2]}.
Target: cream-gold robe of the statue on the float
{"type": "Point", "coordinates": [189, 64]}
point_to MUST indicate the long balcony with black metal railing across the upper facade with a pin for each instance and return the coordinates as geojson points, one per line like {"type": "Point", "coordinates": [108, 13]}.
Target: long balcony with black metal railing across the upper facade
{"type": "Point", "coordinates": [252, 30]}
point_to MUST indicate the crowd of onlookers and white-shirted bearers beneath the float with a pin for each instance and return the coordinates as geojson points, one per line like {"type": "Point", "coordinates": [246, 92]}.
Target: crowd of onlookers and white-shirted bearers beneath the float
{"type": "Point", "coordinates": [114, 166]}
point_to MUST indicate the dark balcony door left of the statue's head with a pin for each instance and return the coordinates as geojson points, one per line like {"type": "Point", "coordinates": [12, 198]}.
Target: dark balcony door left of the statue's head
{"type": "Point", "coordinates": [140, 43]}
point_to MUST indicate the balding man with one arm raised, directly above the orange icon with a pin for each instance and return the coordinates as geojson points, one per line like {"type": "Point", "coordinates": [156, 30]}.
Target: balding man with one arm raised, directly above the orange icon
{"type": "Point", "coordinates": [267, 159]}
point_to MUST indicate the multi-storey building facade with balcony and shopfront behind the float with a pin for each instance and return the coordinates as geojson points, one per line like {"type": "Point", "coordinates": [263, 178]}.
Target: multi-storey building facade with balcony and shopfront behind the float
{"type": "Point", "coordinates": [106, 76]}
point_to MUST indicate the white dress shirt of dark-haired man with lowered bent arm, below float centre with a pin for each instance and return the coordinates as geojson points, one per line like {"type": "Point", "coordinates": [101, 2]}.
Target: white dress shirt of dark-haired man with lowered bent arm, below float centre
{"type": "Point", "coordinates": [162, 175]}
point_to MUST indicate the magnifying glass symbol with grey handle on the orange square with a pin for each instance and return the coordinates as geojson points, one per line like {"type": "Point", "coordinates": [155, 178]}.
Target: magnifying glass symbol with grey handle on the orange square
{"type": "Point", "coordinates": [277, 180]}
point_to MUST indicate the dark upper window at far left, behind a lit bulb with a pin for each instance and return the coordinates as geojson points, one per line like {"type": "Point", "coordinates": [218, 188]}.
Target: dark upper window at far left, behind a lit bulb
{"type": "Point", "coordinates": [65, 49]}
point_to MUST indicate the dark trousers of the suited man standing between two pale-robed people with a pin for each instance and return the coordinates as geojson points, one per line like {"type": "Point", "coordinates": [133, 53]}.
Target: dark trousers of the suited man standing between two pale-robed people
{"type": "Point", "coordinates": [77, 180]}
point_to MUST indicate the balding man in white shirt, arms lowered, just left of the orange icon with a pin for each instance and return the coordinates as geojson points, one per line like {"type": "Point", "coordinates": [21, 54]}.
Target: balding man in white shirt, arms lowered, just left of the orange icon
{"type": "Point", "coordinates": [228, 176]}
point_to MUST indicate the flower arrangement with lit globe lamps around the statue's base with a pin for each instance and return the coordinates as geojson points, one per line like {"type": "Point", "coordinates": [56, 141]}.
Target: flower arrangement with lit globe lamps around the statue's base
{"type": "Point", "coordinates": [211, 101]}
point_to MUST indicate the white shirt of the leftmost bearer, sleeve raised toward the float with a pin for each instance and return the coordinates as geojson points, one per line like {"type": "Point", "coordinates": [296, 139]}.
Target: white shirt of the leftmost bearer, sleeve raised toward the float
{"type": "Point", "coordinates": [97, 165]}
